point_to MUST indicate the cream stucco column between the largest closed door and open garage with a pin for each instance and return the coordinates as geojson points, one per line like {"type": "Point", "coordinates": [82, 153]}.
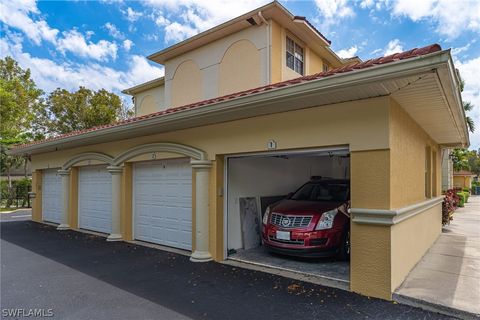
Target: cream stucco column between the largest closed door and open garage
{"type": "Point", "coordinates": [202, 174]}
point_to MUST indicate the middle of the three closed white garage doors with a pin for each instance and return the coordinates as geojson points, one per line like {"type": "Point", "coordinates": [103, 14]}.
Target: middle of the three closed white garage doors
{"type": "Point", "coordinates": [95, 199]}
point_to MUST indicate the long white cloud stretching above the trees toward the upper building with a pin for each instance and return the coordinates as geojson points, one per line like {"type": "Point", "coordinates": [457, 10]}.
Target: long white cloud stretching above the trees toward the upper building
{"type": "Point", "coordinates": [49, 74]}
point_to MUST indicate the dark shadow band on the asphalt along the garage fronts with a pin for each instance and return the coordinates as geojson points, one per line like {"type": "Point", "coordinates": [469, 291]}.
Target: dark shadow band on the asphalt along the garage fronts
{"type": "Point", "coordinates": [198, 290]}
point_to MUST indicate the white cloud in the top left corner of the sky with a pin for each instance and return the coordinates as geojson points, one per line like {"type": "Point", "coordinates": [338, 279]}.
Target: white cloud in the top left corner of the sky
{"type": "Point", "coordinates": [17, 13]}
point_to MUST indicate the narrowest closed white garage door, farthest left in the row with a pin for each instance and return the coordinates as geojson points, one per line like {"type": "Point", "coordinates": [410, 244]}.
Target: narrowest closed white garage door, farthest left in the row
{"type": "Point", "coordinates": [52, 196]}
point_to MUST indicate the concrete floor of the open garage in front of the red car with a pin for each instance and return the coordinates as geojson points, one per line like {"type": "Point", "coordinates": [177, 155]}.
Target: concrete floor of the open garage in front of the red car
{"type": "Point", "coordinates": [333, 273]}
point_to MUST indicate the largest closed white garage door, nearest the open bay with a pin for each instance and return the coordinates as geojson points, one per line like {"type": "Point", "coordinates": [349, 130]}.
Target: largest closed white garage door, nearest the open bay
{"type": "Point", "coordinates": [163, 202]}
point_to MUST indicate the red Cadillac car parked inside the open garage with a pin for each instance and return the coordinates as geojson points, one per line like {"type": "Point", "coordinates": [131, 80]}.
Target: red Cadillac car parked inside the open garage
{"type": "Point", "coordinates": [311, 222]}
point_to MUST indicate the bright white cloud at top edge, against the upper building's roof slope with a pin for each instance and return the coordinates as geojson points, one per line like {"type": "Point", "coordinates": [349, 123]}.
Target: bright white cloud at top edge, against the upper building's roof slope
{"type": "Point", "coordinates": [185, 18]}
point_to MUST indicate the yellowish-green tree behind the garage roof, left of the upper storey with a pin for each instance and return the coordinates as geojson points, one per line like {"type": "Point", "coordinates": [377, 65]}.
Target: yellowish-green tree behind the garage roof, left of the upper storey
{"type": "Point", "coordinates": [67, 111]}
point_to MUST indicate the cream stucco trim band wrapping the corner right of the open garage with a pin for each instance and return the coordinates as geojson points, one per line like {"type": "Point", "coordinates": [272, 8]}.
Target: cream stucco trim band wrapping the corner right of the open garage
{"type": "Point", "coordinates": [391, 217]}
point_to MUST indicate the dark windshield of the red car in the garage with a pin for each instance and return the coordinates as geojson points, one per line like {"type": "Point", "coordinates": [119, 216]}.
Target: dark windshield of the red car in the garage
{"type": "Point", "coordinates": [332, 192]}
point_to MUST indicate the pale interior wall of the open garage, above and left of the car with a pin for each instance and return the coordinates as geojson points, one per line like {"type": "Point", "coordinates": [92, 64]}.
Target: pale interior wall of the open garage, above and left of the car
{"type": "Point", "coordinates": [272, 176]}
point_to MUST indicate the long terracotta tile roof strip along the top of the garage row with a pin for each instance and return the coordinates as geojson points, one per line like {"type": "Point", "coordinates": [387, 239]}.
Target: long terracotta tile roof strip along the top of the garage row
{"type": "Point", "coordinates": [350, 68]}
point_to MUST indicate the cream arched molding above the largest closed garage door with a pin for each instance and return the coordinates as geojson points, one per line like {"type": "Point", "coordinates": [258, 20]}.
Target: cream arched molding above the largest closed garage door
{"type": "Point", "coordinates": [177, 148]}
